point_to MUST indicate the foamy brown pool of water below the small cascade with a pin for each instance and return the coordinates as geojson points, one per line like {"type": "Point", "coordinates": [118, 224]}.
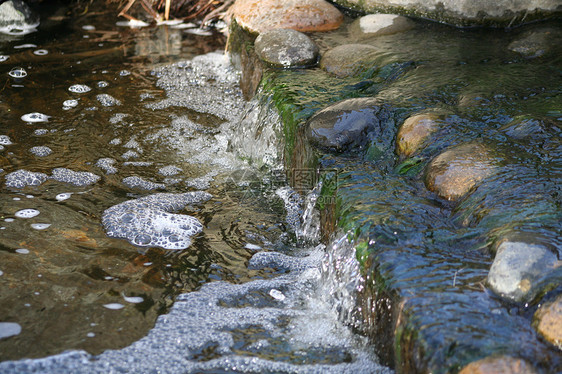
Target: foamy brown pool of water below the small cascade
{"type": "Point", "coordinates": [96, 126]}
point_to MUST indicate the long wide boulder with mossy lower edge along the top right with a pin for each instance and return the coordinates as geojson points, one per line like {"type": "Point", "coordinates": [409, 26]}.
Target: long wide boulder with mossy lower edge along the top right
{"type": "Point", "coordinates": [500, 13]}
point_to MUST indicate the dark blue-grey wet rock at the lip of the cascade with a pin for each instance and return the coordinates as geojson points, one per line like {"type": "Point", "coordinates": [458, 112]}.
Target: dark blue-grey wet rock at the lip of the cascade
{"type": "Point", "coordinates": [350, 124]}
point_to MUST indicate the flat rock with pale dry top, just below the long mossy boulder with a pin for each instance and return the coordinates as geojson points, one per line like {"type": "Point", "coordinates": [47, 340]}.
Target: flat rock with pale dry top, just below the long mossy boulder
{"type": "Point", "coordinates": [380, 24]}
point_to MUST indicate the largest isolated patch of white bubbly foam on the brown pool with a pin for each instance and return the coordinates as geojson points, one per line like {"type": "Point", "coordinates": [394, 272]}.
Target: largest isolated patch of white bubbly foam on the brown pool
{"type": "Point", "coordinates": [148, 221]}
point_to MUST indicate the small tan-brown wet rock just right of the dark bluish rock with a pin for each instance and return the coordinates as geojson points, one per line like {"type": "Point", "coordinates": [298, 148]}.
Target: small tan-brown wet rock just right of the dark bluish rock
{"type": "Point", "coordinates": [415, 130]}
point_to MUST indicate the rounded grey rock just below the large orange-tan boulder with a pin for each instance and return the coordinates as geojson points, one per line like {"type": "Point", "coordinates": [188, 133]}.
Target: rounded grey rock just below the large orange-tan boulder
{"type": "Point", "coordinates": [286, 48]}
